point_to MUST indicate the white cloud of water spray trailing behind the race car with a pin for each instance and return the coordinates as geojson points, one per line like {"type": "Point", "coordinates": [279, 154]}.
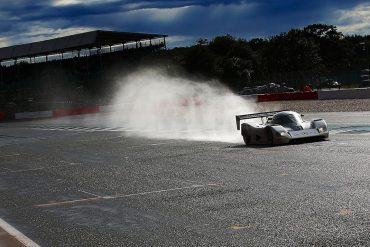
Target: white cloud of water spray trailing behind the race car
{"type": "Point", "coordinates": [151, 104]}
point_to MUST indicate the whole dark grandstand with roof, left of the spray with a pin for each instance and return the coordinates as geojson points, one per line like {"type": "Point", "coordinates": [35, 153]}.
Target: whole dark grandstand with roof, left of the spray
{"type": "Point", "coordinates": [70, 71]}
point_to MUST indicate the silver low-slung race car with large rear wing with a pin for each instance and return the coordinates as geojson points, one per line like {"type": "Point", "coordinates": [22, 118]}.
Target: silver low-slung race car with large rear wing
{"type": "Point", "coordinates": [280, 127]}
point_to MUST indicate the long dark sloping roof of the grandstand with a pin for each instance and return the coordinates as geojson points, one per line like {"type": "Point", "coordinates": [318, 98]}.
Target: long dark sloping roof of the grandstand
{"type": "Point", "coordinates": [86, 40]}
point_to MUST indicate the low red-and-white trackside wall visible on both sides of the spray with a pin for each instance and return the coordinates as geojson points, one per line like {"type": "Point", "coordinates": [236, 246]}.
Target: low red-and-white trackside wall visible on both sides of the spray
{"type": "Point", "coordinates": [357, 93]}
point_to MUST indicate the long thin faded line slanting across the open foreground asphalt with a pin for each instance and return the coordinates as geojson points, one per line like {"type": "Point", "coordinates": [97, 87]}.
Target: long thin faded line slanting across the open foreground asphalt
{"type": "Point", "coordinates": [119, 196]}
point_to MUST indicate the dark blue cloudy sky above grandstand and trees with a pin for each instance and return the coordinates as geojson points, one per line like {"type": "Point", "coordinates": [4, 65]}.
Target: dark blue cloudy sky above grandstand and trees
{"type": "Point", "coordinates": [185, 21]}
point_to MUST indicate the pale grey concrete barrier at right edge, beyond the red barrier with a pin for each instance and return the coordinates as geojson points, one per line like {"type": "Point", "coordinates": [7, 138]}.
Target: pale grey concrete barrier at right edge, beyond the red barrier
{"type": "Point", "coordinates": [356, 93]}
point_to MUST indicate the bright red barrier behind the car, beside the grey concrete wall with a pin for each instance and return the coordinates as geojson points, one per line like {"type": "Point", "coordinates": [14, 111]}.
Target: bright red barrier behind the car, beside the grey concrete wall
{"type": "Point", "coordinates": [287, 96]}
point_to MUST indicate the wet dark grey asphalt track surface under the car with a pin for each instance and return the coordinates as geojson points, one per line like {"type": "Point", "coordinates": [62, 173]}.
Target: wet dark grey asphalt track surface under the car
{"type": "Point", "coordinates": [65, 183]}
